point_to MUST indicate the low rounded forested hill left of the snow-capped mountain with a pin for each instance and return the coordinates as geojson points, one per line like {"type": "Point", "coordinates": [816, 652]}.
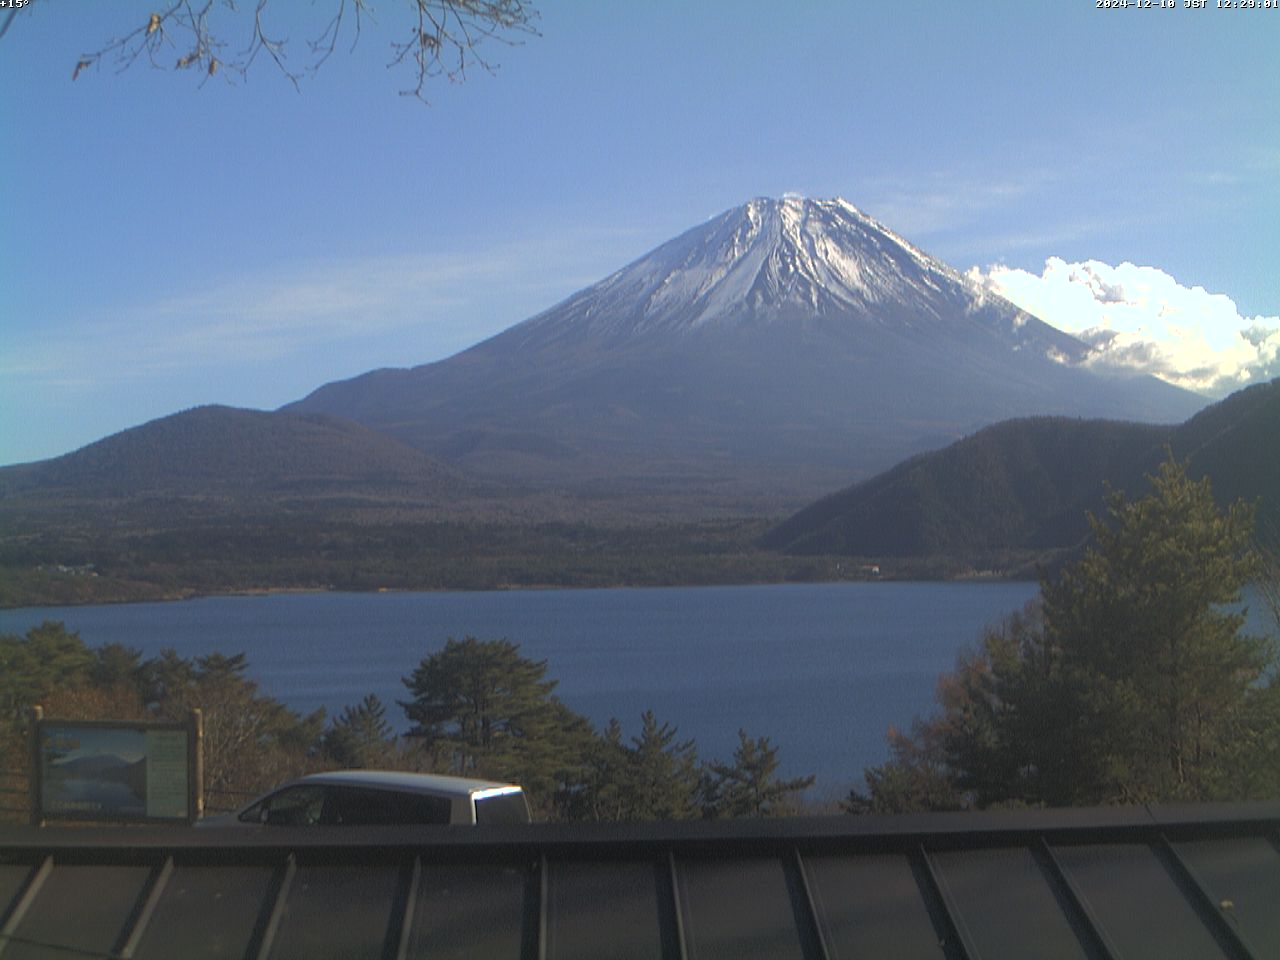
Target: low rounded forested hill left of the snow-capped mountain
{"type": "Point", "coordinates": [225, 451]}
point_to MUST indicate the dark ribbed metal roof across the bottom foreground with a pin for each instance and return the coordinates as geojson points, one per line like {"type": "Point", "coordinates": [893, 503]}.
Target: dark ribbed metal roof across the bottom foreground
{"type": "Point", "coordinates": [1117, 883]}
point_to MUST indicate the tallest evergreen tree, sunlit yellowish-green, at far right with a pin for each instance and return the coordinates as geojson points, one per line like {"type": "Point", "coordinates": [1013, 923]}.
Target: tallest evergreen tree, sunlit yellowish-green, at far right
{"type": "Point", "coordinates": [1145, 634]}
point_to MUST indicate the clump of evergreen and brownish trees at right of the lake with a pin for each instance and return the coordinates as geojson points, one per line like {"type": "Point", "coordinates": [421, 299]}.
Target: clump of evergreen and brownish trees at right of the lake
{"type": "Point", "coordinates": [1131, 682]}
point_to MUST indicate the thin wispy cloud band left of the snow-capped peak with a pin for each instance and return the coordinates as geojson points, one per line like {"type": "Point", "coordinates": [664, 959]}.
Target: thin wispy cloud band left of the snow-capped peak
{"type": "Point", "coordinates": [409, 309]}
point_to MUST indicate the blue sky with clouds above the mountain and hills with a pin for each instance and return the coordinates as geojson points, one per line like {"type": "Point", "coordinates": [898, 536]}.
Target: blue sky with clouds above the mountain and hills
{"type": "Point", "coordinates": [170, 244]}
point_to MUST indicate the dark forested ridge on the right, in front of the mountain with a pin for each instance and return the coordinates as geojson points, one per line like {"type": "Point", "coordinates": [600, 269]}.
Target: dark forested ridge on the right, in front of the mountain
{"type": "Point", "coordinates": [1027, 484]}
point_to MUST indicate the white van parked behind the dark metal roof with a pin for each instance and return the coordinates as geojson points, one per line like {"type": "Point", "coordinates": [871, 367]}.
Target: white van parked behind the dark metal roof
{"type": "Point", "coordinates": [368, 798]}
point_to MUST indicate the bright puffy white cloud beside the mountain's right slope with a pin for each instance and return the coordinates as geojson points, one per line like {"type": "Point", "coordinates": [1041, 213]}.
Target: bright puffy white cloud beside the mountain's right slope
{"type": "Point", "coordinates": [1142, 319]}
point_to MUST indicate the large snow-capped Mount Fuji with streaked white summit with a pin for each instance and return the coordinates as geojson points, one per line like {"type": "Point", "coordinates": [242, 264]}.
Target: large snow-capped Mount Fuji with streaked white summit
{"type": "Point", "coordinates": [779, 351]}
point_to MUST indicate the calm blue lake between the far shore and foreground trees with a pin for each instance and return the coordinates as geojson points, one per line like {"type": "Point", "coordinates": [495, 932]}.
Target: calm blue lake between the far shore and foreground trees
{"type": "Point", "coordinates": [820, 669]}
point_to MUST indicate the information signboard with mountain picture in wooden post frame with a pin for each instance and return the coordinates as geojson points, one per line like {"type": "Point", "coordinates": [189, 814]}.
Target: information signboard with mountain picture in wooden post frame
{"type": "Point", "coordinates": [117, 771]}
